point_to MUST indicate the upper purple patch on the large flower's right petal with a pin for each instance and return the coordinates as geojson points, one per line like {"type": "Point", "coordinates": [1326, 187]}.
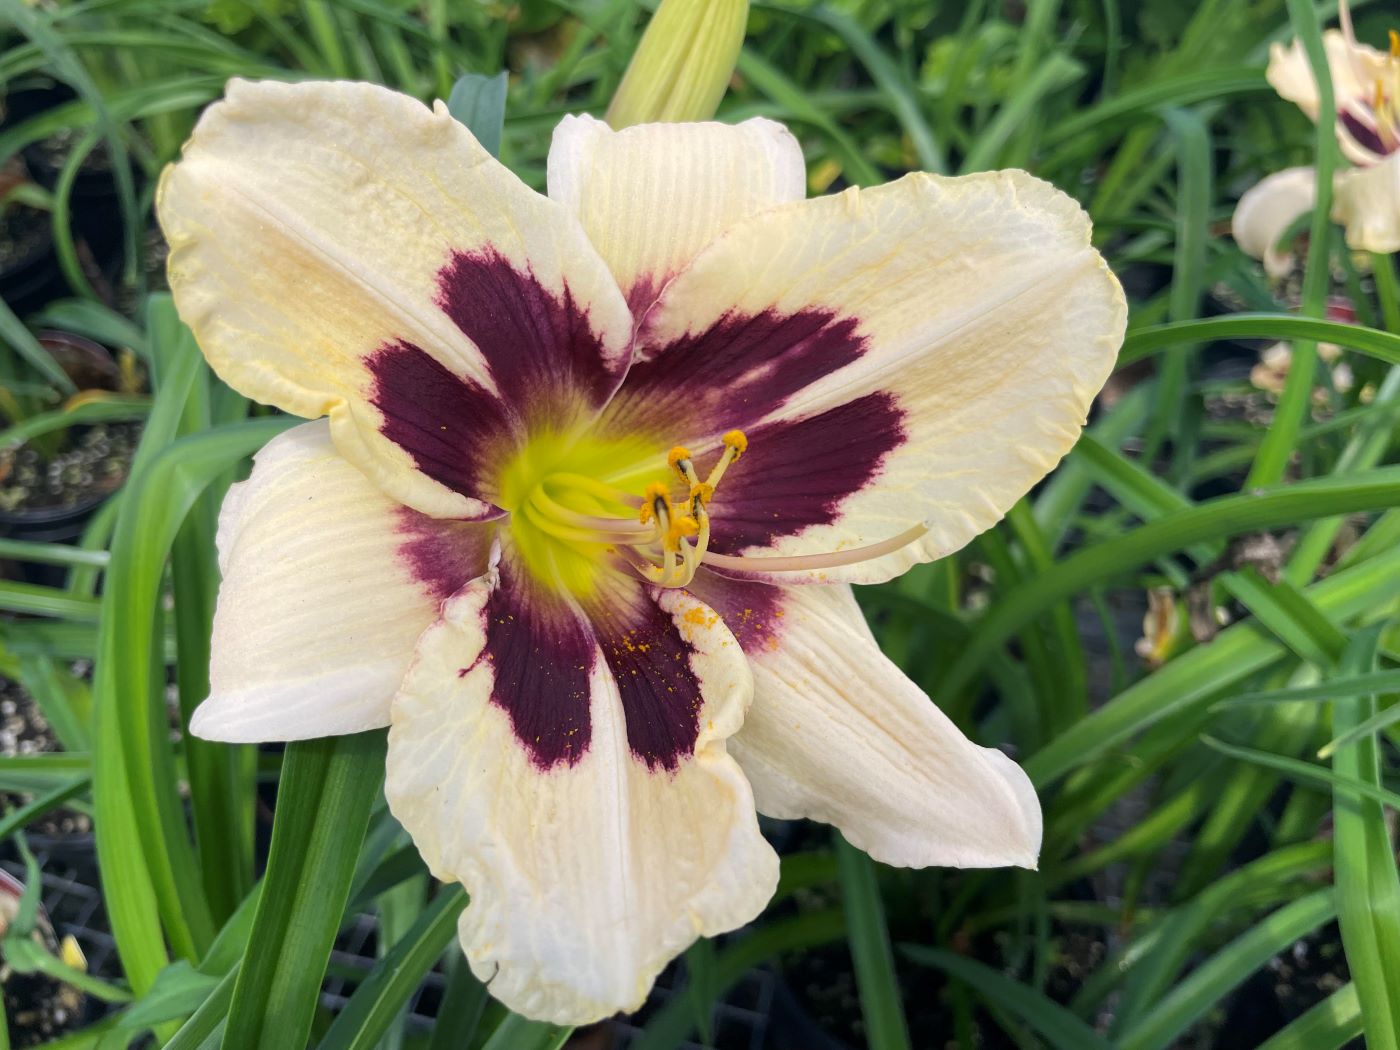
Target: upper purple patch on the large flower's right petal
{"type": "Point", "coordinates": [734, 373]}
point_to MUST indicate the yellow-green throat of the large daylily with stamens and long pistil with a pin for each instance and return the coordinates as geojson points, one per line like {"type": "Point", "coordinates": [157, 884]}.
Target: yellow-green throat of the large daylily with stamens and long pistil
{"type": "Point", "coordinates": [580, 509]}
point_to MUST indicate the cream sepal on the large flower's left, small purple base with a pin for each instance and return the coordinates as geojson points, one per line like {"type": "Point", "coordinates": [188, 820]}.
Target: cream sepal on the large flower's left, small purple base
{"type": "Point", "coordinates": [327, 587]}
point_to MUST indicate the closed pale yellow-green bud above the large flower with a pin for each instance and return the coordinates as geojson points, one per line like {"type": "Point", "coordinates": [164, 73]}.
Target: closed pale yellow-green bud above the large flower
{"type": "Point", "coordinates": [682, 65]}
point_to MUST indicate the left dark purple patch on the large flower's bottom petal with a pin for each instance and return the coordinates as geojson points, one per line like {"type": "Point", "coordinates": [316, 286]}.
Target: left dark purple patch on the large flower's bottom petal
{"type": "Point", "coordinates": [541, 654]}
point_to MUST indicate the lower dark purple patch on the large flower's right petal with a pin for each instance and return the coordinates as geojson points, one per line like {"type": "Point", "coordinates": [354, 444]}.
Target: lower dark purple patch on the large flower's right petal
{"type": "Point", "coordinates": [799, 472]}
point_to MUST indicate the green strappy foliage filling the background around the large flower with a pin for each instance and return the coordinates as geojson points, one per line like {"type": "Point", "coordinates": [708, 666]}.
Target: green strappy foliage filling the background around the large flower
{"type": "Point", "coordinates": [1219, 864]}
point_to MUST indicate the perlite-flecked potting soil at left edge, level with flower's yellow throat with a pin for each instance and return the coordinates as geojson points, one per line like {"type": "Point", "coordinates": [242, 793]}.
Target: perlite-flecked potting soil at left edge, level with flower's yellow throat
{"type": "Point", "coordinates": [93, 465]}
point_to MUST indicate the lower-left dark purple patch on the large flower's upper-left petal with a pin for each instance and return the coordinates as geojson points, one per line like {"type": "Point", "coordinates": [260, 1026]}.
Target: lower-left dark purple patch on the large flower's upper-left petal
{"type": "Point", "coordinates": [450, 426]}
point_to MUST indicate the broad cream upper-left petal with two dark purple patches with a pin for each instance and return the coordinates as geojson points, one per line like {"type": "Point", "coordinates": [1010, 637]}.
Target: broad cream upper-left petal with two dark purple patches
{"type": "Point", "coordinates": [341, 250]}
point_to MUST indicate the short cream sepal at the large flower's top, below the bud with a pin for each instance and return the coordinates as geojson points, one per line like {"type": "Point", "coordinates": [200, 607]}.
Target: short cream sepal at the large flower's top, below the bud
{"type": "Point", "coordinates": [652, 197]}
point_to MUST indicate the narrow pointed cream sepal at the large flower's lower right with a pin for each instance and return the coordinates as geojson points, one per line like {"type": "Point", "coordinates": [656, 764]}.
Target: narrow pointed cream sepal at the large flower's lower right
{"type": "Point", "coordinates": [839, 734]}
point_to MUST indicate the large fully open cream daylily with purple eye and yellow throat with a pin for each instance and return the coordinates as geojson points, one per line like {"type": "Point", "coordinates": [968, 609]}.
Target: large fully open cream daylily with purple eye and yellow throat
{"type": "Point", "coordinates": [598, 471]}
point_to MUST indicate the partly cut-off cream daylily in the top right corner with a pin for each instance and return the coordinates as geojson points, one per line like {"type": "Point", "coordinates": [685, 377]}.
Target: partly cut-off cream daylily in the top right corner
{"type": "Point", "coordinates": [1366, 86]}
